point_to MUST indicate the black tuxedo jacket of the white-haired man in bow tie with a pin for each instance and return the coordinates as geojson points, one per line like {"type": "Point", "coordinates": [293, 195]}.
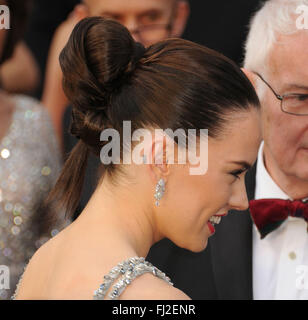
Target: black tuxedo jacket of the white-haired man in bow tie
{"type": "Point", "coordinates": [224, 269]}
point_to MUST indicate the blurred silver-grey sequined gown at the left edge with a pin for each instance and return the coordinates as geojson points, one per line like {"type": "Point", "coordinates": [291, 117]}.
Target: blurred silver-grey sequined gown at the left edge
{"type": "Point", "coordinates": [30, 163]}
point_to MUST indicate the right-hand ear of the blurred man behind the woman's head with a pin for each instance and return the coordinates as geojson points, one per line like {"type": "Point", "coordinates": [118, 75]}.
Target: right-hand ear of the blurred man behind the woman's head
{"type": "Point", "coordinates": [181, 15]}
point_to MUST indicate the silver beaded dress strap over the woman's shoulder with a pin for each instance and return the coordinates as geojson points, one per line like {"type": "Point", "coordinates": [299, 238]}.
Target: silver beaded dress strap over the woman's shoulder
{"type": "Point", "coordinates": [127, 270]}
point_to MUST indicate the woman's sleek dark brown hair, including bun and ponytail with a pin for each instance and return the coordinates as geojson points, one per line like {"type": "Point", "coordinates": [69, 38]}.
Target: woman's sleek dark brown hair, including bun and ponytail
{"type": "Point", "coordinates": [109, 78]}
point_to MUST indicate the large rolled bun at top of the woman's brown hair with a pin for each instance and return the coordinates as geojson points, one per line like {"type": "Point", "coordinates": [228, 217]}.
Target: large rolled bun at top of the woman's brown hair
{"type": "Point", "coordinates": [96, 61]}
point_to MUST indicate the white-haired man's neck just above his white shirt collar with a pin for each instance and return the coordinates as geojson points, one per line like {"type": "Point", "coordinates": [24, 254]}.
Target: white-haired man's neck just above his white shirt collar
{"type": "Point", "coordinates": [293, 186]}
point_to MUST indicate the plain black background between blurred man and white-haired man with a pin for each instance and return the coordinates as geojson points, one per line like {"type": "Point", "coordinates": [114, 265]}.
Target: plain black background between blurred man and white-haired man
{"type": "Point", "coordinates": [221, 25]}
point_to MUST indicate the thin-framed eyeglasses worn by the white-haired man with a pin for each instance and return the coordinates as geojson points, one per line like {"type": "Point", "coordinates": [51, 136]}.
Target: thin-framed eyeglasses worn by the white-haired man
{"type": "Point", "coordinates": [293, 103]}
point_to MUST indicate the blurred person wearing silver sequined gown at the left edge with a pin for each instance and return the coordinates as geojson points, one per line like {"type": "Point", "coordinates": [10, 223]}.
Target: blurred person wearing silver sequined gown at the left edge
{"type": "Point", "coordinates": [29, 164]}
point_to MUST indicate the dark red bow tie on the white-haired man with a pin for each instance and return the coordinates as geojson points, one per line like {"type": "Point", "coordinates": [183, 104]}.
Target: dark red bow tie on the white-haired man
{"type": "Point", "coordinates": [269, 214]}
